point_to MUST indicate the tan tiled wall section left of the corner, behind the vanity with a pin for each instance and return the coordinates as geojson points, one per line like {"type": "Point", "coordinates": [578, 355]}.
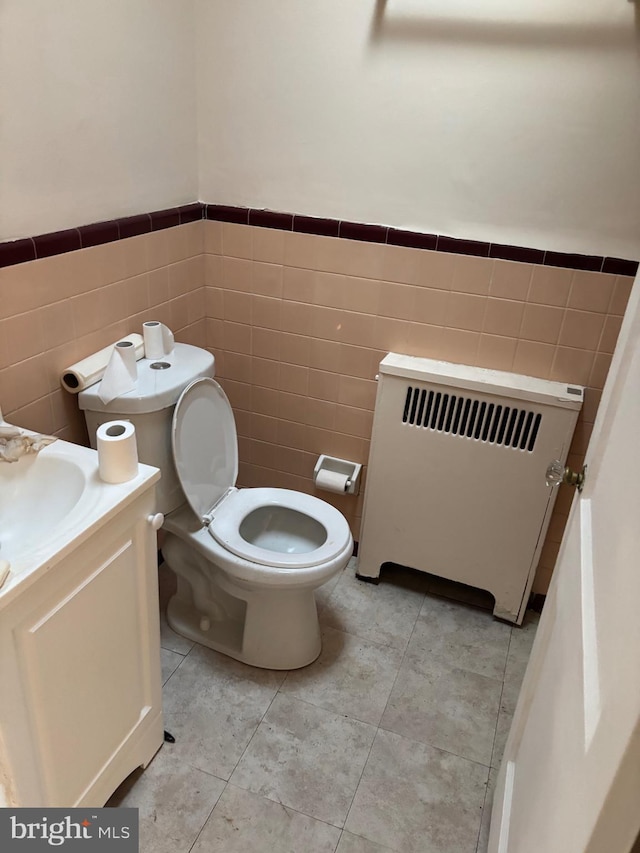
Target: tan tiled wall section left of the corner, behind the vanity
{"type": "Point", "coordinates": [59, 309]}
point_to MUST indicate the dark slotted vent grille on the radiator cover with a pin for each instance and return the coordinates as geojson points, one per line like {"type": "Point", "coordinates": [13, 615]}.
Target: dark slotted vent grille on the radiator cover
{"type": "Point", "coordinates": [457, 415]}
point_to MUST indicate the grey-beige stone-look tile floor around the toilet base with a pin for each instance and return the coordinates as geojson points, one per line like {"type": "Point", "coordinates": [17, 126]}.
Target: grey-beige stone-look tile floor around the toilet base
{"type": "Point", "coordinates": [390, 741]}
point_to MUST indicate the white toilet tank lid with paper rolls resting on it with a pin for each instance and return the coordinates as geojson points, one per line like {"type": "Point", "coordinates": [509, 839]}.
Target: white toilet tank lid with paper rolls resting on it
{"type": "Point", "coordinates": [156, 387]}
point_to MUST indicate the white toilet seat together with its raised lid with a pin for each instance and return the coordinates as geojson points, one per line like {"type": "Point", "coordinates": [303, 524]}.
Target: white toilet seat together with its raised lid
{"type": "Point", "coordinates": [247, 522]}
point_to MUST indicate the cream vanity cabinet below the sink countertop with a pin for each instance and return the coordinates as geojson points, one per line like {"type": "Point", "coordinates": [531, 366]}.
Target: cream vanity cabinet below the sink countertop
{"type": "Point", "coordinates": [80, 683]}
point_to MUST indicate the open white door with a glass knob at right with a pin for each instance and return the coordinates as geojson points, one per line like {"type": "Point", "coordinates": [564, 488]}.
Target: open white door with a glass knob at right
{"type": "Point", "coordinates": [570, 776]}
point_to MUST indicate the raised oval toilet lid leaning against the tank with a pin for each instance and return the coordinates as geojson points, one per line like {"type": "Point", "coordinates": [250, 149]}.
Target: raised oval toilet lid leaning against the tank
{"type": "Point", "coordinates": [205, 444]}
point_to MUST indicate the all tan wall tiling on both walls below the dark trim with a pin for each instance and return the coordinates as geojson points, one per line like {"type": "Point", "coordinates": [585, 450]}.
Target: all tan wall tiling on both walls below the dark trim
{"type": "Point", "coordinates": [298, 323]}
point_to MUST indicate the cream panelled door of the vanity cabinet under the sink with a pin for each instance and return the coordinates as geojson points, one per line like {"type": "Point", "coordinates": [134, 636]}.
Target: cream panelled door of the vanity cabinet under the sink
{"type": "Point", "coordinates": [85, 671]}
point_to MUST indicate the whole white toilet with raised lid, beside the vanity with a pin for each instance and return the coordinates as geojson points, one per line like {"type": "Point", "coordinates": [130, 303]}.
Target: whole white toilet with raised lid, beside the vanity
{"type": "Point", "coordinates": [247, 560]}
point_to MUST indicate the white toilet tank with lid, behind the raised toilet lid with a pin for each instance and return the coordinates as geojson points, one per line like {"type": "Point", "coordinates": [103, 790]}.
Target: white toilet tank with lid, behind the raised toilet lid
{"type": "Point", "coordinates": [149, 407]}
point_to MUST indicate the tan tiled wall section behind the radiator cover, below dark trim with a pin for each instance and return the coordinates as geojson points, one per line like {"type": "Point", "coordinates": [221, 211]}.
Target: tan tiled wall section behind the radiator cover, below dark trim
{"type": "Point", "coordinates": [299, 322]}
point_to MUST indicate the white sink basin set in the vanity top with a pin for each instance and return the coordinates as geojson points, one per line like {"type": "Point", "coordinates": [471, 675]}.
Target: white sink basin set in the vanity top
{"type": "Point", "coordinates": [39, 496]}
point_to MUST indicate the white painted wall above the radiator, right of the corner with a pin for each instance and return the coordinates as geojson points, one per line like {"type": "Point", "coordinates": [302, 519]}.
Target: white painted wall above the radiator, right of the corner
{"type": "Point", "coordinates": [501, 121]}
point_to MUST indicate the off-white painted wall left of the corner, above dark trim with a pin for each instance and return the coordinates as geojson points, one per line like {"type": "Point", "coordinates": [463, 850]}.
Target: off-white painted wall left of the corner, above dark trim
{"type": "Point", "coordinates": [97, 106]}
